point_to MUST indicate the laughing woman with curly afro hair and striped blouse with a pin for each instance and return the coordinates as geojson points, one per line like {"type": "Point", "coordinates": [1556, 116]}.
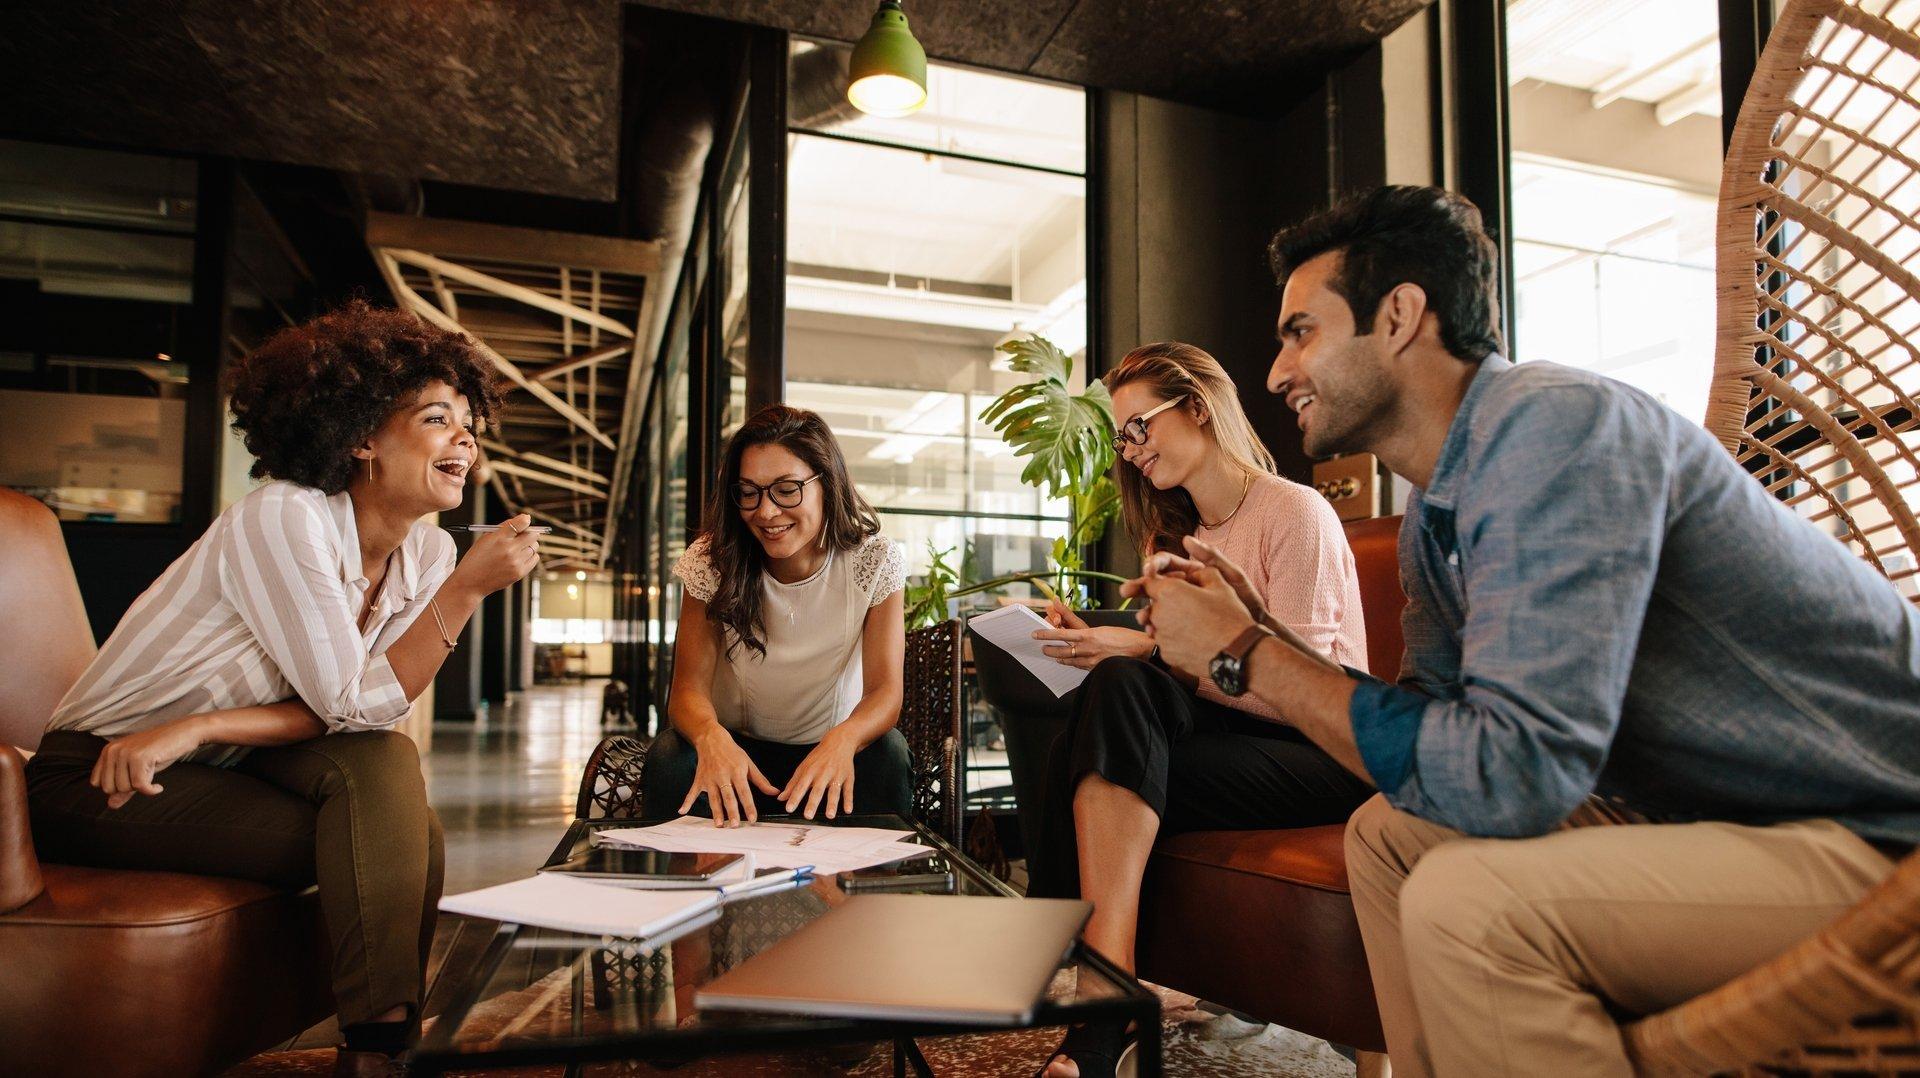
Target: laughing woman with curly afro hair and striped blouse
{"type": "Point", "coordinates": [239, 722]}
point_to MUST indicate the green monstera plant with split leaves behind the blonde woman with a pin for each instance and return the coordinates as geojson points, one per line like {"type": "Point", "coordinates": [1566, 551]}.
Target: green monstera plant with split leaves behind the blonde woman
{"type": "Point", "coordinates": [1068, 445]}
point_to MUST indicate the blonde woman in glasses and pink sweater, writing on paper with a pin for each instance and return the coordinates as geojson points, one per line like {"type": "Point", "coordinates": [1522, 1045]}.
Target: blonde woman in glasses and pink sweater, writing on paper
{"type": "Point", "coordinates": [1143, 750]}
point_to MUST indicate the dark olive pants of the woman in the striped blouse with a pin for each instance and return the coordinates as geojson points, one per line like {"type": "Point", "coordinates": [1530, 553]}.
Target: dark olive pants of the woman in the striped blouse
{"type": "Point", "coordinates": [347, 812]}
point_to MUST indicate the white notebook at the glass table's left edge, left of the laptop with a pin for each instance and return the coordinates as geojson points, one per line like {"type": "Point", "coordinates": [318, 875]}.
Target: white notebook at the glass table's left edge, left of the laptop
{"type": "Point", "coordinates": [583, 906]}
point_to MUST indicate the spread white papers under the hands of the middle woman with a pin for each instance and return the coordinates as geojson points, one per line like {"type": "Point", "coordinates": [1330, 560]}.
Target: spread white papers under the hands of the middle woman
{"type": "Point", "coordinates": [777, 846]}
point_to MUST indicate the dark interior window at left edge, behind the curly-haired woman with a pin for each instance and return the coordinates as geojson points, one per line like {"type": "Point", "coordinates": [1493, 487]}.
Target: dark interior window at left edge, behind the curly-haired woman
{"type": "Point", "coordinates": [97, 262]}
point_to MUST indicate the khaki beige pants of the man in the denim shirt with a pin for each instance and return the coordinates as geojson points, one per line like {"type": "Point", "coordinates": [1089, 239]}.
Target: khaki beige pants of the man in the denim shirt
{"type": "Point", "coordinates": [1518, 958]}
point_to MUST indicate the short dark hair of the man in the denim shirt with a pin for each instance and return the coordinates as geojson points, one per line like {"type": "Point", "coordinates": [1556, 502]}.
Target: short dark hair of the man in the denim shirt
{"type": "Point", "coordinates": [1406, 235]}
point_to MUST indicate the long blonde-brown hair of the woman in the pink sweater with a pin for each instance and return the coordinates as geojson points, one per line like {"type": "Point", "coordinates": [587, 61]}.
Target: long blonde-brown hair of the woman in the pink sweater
{"type": "Point", "coordinates": [1159, 520]}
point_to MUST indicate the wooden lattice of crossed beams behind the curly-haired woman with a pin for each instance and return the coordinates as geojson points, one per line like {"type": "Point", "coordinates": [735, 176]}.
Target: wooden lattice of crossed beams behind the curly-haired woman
{"type": "Point", "coordinates": [560, 316]}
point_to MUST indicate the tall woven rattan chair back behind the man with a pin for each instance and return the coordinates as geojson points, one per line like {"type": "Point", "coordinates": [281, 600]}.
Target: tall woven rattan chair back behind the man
{"type": "Point", "coordinates": [1819, 278]}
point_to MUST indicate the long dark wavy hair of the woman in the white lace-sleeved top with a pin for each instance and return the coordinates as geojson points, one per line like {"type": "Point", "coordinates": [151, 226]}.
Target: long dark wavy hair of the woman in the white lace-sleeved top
{"type": "Point", "coordinates": [736, 556]}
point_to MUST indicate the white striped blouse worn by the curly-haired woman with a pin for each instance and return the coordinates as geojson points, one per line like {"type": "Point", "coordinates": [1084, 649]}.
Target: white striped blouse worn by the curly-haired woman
{"type": "Point", "coordinates": [262, 610]}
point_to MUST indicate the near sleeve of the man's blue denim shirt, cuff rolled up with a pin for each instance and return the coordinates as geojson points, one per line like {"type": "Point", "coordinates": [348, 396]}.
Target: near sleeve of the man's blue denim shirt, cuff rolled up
{"type": "Point", "coordinates": [1560, 535]}
